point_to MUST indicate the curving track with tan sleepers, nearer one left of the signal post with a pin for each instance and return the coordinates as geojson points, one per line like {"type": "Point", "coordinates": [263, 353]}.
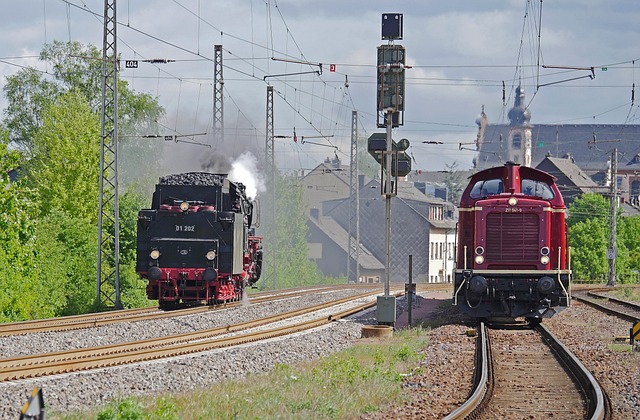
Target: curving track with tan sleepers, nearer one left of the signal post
{"type": "Point", "coordinates": [32, 366]}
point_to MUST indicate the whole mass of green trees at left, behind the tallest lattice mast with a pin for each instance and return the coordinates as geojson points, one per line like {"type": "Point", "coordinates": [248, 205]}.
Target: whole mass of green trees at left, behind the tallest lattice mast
{"type": "Point", "coordinates": [48, 218]}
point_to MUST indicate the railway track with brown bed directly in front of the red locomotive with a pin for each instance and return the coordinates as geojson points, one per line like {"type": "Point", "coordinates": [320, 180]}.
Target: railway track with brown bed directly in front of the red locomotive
{"type": "Point", "coordinates": [527, 373]}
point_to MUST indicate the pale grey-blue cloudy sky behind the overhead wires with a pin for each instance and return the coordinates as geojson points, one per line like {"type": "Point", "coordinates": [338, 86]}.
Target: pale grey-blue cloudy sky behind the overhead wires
{"type": "Point", "coordinates": [461, 53]}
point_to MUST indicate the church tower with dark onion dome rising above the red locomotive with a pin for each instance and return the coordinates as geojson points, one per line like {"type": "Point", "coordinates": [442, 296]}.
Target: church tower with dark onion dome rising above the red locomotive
{"type": "Point", "coordinates": [518, 147]}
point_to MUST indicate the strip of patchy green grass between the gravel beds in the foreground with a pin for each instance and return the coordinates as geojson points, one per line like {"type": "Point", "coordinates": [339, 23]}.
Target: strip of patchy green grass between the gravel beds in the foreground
{"type": "Point", "coordinates": [361, 379]}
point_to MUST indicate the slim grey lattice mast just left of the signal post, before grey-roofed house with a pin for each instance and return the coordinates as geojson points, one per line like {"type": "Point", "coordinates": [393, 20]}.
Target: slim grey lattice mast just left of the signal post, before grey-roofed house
{"type": "Point", "coordinates": [353, 265]}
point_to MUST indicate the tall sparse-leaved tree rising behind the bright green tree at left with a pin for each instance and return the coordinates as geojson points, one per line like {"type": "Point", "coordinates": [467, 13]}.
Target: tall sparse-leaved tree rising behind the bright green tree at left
{"type": "Point", "coordinates": [78, 68]}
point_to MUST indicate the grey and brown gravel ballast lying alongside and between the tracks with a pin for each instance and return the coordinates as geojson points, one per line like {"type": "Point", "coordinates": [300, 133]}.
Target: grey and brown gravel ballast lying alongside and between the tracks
{"type": "Point", "coordinates": [442, 386]}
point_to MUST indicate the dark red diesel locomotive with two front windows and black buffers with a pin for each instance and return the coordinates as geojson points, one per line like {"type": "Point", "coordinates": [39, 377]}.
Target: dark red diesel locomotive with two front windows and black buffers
{"type": "Point", "coordinates": [512, 252]}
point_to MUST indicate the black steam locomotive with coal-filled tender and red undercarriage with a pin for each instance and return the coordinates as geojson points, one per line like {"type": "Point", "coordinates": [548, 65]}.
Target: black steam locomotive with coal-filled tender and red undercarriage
{"type": "Point", "coordinates": [196, 243]}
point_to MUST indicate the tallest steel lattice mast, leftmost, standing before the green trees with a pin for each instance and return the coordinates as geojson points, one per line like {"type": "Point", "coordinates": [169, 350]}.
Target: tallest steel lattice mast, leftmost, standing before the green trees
{"type": "Point", "coordinates": [108, 273]}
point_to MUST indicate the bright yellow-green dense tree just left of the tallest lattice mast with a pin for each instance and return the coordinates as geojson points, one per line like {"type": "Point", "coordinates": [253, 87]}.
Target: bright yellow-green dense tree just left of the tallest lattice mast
{"type": "Point", "coordinates": [64, 172]}
